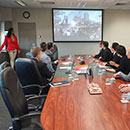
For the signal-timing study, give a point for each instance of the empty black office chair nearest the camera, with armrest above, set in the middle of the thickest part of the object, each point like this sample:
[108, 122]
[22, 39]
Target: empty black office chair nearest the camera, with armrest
[16, 103]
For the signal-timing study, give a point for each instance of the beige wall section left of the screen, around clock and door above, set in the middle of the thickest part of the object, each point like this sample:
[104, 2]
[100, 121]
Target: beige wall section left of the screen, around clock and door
[42, 18]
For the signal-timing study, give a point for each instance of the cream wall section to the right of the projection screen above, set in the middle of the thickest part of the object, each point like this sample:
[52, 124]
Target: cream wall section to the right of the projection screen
[117, 26]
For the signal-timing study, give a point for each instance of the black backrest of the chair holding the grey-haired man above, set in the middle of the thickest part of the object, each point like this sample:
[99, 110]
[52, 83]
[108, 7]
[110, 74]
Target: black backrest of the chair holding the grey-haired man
[28, 72]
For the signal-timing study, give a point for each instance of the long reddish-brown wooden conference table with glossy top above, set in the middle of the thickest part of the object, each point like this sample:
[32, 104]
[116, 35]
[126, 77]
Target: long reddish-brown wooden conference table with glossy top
[72, 107]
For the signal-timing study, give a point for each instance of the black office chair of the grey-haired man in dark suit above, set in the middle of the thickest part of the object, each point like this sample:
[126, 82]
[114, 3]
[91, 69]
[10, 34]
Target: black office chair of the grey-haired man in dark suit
[29, 74]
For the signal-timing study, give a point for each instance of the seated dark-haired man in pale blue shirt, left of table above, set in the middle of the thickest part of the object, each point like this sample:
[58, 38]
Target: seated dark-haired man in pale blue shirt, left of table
[45, 58]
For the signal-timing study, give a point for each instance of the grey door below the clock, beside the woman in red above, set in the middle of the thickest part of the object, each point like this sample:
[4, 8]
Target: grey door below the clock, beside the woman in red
[27, 37]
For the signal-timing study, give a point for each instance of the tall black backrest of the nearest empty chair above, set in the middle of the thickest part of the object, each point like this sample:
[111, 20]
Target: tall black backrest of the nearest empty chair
[12, 93]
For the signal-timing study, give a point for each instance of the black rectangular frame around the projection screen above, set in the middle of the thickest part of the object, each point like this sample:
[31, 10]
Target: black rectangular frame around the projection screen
[76, 9]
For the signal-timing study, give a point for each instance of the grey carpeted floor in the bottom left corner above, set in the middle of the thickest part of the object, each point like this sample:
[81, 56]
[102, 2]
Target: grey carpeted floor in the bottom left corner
[5, 120]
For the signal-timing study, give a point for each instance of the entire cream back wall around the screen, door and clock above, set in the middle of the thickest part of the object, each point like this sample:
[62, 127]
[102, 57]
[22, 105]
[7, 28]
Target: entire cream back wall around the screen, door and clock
[116, 28]
